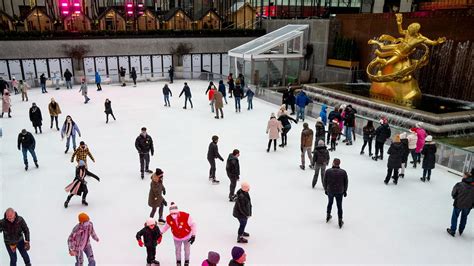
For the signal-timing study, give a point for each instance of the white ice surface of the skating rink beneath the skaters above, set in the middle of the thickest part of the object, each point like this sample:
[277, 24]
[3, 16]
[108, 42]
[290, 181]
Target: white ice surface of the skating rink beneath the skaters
[403, 224]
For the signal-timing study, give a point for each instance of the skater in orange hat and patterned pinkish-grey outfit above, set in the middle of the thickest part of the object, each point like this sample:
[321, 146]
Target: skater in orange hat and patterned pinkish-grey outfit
[79, 240]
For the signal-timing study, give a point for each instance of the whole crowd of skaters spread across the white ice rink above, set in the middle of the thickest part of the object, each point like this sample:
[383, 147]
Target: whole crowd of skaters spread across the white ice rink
[329, 129]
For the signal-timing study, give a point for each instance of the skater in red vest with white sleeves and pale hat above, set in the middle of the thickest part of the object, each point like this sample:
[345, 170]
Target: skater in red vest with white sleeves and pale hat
[183, 229]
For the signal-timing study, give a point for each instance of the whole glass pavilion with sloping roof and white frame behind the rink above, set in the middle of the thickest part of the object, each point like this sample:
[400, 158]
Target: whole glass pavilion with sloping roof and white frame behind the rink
[272, 60]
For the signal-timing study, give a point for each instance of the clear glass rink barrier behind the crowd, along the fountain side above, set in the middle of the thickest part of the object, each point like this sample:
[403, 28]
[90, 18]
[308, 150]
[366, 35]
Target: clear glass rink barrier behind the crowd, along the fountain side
[457, 160]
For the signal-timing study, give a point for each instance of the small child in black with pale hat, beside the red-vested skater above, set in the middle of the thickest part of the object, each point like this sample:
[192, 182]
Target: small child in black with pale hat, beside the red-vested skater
[151, 238]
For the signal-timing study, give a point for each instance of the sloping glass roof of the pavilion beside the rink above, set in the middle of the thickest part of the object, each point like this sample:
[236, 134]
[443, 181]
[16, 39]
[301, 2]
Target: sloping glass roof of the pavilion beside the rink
[270, 40]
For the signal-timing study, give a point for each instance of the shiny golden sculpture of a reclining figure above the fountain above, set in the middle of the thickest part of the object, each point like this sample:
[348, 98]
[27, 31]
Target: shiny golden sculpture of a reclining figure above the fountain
[391, 72]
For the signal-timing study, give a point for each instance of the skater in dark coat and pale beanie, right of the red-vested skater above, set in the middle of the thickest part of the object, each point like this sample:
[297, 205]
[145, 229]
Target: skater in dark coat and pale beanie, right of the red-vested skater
[243, 211]
